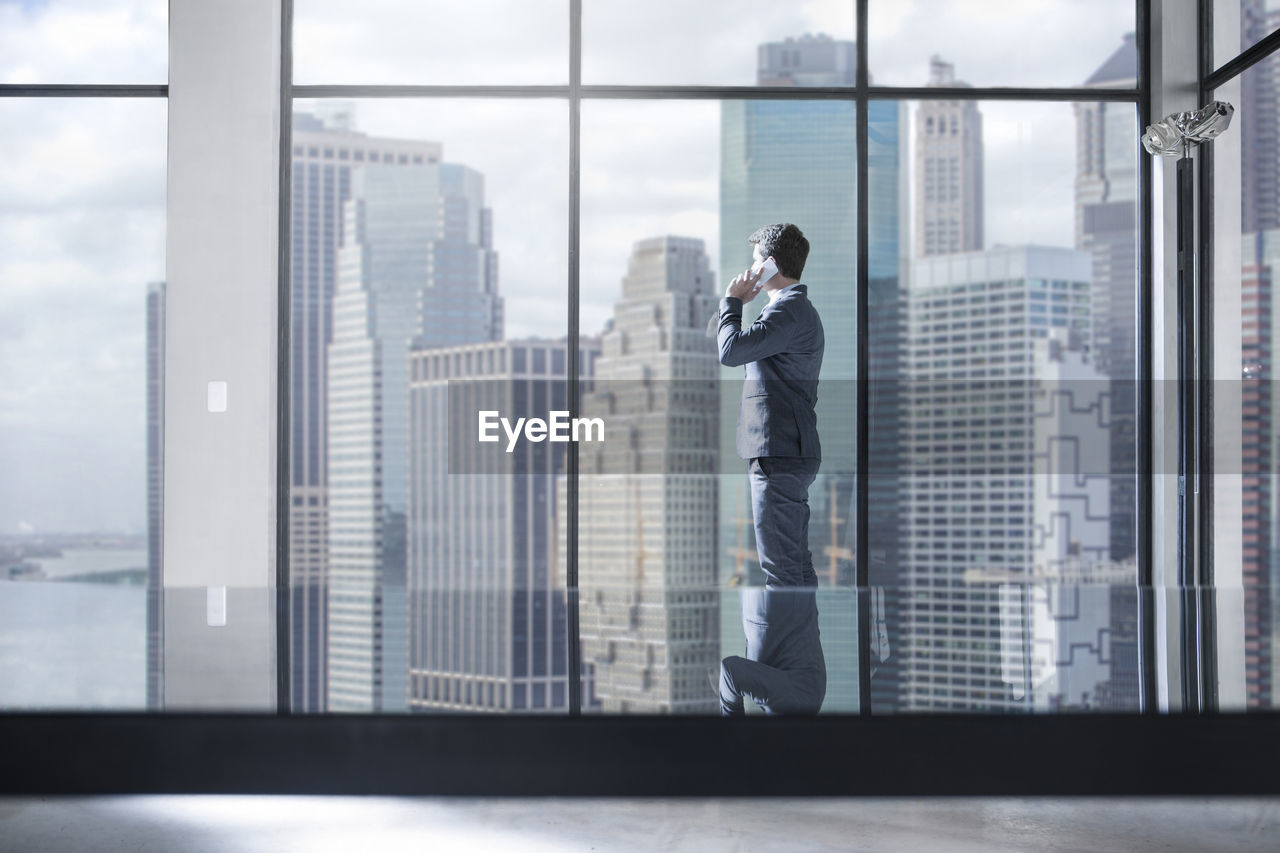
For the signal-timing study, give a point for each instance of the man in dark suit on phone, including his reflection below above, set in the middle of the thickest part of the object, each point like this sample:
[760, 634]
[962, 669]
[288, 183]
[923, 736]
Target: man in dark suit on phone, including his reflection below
[778, 434]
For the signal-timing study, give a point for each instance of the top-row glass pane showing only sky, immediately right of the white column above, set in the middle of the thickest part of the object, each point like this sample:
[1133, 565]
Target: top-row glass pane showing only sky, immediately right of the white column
[431, 43]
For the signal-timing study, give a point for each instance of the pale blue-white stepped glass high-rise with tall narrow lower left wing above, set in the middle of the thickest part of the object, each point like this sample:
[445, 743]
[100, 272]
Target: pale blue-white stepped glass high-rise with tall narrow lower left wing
[415, 270]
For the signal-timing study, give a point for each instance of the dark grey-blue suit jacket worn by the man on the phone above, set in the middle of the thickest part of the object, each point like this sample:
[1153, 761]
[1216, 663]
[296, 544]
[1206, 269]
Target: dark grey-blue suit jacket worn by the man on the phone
[783, 355]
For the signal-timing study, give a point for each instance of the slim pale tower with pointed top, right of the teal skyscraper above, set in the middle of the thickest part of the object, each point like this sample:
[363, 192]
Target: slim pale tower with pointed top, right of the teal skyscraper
[949, 191]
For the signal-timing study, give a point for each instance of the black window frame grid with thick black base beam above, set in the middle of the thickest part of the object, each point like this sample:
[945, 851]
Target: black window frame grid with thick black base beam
[678, 756]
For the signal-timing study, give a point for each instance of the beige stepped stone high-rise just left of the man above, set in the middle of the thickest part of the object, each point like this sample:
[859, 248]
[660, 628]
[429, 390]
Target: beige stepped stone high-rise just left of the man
[651, 492]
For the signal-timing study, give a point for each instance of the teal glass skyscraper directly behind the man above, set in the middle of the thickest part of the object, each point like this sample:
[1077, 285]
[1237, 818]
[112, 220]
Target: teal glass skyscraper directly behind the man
[797, 162]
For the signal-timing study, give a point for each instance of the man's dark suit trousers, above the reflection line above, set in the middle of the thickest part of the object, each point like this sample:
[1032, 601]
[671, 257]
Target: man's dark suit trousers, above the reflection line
[780, 507]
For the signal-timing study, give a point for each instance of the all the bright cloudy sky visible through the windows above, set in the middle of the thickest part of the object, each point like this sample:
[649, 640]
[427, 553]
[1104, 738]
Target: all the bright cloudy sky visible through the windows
[83, 183]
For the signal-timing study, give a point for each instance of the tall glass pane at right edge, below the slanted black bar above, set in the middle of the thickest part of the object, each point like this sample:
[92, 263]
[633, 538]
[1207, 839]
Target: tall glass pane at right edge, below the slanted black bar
[1247, 514]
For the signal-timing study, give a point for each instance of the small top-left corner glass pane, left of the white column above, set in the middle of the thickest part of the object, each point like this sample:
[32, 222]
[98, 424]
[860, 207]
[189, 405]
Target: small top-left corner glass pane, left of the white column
[85, 42]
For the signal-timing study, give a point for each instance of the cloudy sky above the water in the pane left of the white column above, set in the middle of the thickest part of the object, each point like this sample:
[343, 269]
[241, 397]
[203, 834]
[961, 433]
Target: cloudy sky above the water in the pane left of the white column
[83, 207]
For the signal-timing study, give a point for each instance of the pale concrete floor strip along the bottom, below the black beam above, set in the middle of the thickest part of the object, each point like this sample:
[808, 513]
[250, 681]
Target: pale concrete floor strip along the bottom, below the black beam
[354, 824]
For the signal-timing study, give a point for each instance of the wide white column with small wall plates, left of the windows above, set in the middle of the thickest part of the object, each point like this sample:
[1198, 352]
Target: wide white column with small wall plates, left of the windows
[220, 490]
